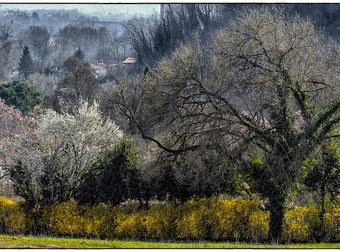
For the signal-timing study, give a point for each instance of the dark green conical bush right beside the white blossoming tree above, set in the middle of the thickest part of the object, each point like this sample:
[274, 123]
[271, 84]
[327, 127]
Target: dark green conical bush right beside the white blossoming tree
[114, 177]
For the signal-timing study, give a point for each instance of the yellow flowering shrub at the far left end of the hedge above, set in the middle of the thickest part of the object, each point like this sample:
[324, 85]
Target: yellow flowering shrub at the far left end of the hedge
[12, 216]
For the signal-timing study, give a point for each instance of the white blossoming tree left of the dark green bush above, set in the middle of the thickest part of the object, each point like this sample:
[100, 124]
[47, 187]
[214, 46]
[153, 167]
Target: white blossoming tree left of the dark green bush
[67, 145]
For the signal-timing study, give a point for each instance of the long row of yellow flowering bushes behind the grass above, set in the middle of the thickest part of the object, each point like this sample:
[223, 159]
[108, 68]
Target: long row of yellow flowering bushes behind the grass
[211, 219]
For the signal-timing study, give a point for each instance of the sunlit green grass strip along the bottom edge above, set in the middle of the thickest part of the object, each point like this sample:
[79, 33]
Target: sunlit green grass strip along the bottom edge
[7, 241]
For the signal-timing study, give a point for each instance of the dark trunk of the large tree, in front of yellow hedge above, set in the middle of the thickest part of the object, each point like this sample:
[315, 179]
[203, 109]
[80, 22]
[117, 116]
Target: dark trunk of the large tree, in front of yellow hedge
[276, 209]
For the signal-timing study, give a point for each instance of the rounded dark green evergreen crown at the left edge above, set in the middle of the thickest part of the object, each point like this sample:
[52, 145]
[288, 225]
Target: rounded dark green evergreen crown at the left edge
[21, 95]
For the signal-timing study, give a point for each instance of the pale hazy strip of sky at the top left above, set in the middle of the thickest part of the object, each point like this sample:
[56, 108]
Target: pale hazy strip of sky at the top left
[129, 9]
